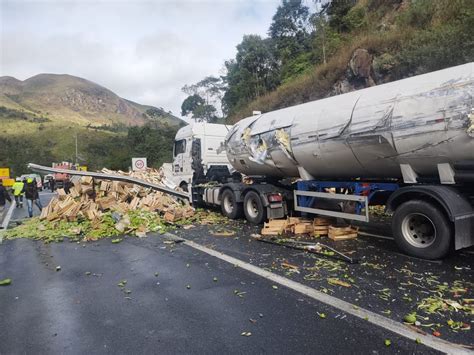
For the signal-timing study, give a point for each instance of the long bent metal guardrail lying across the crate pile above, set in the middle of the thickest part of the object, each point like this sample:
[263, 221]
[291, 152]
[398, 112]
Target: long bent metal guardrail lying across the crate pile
[102, 176]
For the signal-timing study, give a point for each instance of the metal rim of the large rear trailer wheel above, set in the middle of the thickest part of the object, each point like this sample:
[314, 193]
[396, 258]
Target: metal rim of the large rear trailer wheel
[418, 230]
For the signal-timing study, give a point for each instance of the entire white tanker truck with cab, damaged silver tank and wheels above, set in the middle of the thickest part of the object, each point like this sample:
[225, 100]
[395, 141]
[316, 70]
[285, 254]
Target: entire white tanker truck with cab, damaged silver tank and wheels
[408, 145]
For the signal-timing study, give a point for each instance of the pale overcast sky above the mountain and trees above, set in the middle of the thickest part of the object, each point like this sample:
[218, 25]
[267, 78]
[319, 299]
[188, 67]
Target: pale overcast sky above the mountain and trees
[142, 50]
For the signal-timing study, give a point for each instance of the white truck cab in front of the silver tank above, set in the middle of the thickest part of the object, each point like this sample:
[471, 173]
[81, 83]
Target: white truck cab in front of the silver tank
[198, 151]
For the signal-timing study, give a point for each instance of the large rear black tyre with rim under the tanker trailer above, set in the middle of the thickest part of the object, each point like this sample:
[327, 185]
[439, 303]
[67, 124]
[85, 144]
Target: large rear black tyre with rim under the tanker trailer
[421, 230]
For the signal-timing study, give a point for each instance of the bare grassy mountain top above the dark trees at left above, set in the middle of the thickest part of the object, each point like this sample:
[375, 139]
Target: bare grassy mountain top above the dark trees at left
[69, 99]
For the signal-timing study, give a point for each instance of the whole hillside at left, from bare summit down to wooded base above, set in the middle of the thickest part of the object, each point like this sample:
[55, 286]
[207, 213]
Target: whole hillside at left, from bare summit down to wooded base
[41, 117]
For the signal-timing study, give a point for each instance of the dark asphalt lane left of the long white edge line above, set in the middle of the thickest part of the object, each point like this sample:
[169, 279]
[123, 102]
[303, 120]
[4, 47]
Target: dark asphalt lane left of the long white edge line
[81, 309]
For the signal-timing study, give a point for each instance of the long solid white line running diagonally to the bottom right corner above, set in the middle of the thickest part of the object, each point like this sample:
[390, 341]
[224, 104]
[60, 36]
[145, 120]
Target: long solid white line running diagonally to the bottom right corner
[371, 317]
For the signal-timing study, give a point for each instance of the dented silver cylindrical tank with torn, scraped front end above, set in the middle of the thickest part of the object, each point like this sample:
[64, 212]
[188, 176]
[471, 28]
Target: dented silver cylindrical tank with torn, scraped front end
[420, 121]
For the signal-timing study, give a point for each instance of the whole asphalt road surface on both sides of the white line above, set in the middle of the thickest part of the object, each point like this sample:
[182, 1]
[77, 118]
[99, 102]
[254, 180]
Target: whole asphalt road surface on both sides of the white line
[180, 300]
